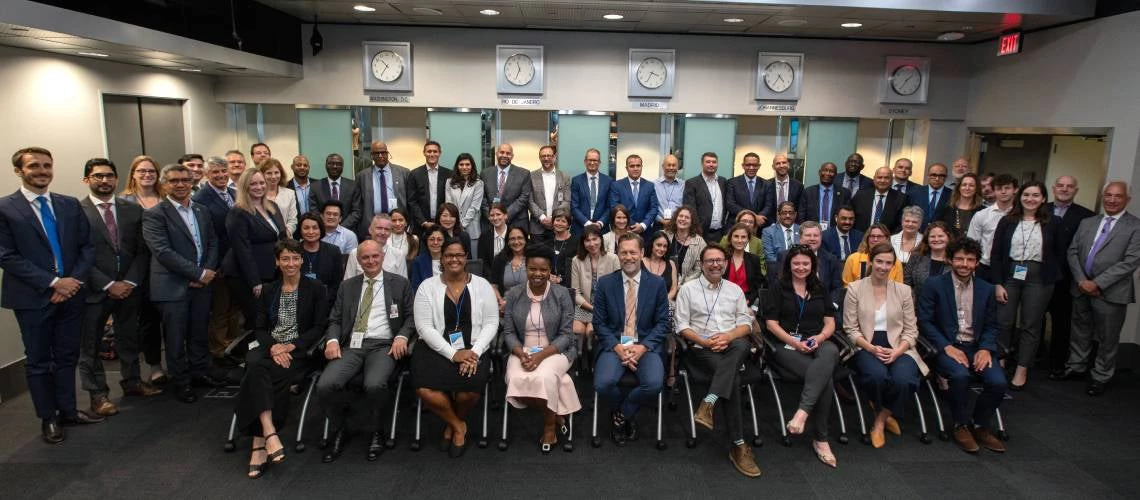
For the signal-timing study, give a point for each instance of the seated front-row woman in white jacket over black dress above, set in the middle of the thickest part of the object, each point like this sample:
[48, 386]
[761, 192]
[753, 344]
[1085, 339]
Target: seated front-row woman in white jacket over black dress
[457, 317]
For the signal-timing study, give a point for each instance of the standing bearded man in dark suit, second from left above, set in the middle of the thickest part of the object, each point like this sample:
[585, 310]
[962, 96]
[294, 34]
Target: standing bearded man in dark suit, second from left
[120, 267]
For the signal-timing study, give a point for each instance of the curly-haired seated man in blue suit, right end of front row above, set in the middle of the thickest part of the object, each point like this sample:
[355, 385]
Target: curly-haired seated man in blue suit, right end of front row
[958, 315]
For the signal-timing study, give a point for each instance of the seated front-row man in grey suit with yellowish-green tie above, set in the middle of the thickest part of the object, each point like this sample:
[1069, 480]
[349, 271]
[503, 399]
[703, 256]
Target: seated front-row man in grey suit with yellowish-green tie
[369, 332]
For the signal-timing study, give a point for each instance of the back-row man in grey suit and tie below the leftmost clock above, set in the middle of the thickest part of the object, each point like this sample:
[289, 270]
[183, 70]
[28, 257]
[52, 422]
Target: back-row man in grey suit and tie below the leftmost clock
[380, 190]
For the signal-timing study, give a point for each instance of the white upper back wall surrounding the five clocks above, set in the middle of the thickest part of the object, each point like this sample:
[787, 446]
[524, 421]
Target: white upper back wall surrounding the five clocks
[455, 68]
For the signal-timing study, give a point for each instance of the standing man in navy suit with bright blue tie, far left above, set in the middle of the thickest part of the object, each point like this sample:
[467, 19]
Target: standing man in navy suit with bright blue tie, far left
[46, 255]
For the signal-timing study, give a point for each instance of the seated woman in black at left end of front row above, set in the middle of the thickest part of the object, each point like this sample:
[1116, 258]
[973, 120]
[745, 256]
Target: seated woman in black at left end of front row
[292, 316]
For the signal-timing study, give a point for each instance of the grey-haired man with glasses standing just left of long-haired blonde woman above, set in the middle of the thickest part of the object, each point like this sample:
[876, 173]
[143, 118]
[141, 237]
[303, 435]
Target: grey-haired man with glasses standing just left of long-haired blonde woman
[218, 200]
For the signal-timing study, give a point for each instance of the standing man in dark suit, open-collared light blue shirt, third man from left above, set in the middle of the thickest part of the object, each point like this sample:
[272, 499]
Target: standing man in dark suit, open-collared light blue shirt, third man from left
[184, 250]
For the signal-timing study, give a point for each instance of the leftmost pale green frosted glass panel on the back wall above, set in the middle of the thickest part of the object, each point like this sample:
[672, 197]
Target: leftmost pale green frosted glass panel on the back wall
[324, 133]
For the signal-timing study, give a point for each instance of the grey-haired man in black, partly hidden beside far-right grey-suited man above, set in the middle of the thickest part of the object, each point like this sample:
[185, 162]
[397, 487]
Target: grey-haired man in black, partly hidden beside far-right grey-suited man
[1061, 307]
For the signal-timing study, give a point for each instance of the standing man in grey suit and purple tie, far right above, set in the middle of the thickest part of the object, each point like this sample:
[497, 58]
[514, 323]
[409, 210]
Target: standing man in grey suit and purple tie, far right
[1103, 258]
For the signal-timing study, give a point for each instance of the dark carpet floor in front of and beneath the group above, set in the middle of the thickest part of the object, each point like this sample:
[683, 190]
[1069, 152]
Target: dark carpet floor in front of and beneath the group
[1064, 445]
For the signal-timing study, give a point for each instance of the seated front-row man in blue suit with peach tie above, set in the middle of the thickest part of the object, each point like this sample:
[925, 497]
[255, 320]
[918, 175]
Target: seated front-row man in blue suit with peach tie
[631, 319]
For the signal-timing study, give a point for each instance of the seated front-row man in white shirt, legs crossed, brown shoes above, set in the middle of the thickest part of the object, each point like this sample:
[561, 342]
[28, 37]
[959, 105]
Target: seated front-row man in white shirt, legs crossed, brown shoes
[714, 319]
